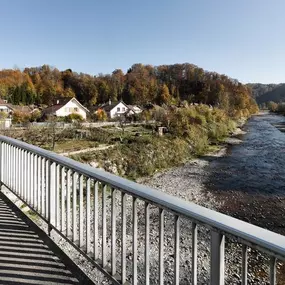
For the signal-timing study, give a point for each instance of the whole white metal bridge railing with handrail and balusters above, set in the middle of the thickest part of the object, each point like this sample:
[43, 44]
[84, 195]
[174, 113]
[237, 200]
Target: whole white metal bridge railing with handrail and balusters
[104, 216]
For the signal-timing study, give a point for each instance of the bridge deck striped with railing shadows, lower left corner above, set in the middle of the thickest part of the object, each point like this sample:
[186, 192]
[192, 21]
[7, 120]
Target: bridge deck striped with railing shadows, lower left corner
[25, 258]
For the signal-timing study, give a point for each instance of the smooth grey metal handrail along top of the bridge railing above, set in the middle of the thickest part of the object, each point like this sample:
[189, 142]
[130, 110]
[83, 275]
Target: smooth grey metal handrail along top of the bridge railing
[263, 238]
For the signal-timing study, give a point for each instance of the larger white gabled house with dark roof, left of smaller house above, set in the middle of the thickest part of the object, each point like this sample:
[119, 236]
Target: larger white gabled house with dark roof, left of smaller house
[65, 106]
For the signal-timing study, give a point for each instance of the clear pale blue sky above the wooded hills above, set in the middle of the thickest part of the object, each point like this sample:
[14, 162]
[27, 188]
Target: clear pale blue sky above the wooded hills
[244, 39]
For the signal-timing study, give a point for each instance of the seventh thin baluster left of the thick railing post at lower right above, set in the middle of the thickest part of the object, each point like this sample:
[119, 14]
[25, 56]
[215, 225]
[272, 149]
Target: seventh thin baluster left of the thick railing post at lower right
[113, 233]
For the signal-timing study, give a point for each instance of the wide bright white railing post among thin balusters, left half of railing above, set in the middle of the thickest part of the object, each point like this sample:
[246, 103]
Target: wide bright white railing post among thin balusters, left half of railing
[51, 194]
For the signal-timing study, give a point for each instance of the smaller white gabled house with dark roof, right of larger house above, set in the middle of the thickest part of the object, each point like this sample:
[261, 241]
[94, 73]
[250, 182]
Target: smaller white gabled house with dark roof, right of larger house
[117, 109]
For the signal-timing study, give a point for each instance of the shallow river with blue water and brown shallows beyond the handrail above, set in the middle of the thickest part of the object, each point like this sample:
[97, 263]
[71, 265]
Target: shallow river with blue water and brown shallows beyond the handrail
[249, 180]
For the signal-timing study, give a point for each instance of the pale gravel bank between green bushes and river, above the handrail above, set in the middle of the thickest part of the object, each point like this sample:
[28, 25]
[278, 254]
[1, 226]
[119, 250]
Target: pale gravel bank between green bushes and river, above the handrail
[188, 181]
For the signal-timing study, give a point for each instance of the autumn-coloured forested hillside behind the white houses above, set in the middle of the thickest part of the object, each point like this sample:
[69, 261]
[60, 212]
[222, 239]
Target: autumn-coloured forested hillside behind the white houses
[165, 84]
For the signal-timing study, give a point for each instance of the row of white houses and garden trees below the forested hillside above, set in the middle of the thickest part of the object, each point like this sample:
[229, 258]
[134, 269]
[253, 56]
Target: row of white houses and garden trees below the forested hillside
[68, 110]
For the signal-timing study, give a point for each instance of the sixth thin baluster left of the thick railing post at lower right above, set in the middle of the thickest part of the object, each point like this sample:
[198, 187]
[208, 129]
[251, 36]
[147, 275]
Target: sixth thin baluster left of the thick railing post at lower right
[123, 237]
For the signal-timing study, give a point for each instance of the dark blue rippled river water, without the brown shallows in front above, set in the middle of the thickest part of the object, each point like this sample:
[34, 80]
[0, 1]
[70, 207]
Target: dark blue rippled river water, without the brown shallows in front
[257, 164]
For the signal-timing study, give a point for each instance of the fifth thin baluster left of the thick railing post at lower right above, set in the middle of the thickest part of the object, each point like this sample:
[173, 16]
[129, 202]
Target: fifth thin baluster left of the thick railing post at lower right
[135, 241]
